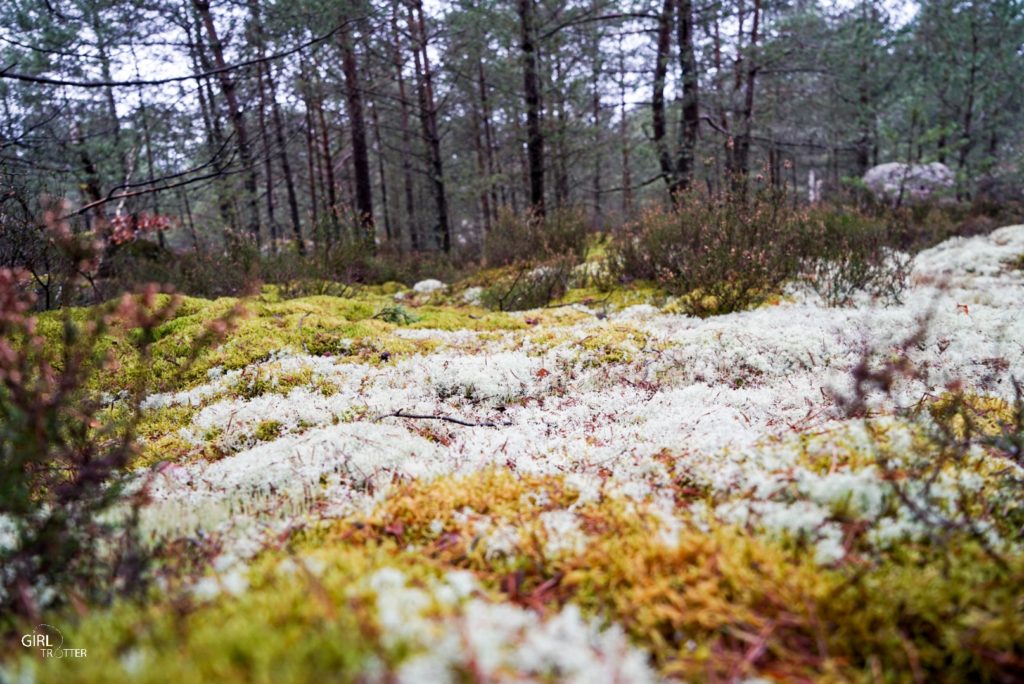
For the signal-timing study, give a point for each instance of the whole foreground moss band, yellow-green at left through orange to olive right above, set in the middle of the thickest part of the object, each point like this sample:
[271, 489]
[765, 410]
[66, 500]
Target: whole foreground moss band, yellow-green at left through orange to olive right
[706, 607]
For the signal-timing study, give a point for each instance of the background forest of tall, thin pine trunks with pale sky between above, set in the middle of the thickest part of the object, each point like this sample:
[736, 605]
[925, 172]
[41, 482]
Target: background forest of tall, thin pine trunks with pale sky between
[422, 129]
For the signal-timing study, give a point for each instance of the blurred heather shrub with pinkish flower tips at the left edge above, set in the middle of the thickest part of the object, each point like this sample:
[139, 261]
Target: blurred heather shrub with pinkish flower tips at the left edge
[68, 502]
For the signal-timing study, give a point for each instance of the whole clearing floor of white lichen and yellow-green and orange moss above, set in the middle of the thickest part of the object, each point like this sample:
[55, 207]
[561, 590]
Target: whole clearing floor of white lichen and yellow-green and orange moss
[601, 492]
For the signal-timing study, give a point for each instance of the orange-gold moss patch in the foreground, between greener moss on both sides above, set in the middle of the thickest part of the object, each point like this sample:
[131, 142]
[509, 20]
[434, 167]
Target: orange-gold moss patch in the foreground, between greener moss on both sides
[693, 602]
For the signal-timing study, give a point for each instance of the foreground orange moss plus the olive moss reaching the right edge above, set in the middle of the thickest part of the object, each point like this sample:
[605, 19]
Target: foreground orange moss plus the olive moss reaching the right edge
[717, 604]
